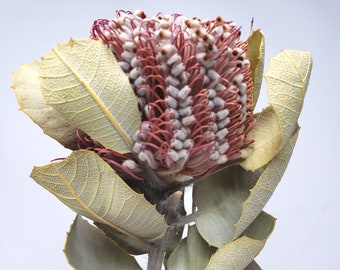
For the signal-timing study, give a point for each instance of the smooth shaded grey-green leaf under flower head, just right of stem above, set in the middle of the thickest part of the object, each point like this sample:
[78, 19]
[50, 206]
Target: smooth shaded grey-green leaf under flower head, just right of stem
[219, 200]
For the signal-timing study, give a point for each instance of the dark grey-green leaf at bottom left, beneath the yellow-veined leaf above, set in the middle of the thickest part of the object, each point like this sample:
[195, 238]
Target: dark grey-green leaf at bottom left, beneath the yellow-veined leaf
[87, 248]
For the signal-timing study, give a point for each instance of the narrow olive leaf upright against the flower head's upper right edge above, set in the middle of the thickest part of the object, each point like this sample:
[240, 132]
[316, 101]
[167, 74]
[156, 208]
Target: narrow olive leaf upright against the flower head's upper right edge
[255, 53]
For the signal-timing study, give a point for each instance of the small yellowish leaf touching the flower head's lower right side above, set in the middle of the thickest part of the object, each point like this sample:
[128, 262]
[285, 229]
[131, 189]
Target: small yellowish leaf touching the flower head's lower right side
[266, 144]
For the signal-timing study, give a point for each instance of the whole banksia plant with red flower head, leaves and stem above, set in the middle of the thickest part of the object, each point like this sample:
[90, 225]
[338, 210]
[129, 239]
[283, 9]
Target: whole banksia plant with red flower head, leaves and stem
[149, 106]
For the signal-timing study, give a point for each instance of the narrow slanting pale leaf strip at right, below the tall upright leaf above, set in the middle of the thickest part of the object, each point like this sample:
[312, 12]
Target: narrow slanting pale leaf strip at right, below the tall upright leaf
[265, 185]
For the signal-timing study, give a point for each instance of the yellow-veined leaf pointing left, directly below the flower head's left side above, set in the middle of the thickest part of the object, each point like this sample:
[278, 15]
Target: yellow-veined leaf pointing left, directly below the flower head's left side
[91, 188]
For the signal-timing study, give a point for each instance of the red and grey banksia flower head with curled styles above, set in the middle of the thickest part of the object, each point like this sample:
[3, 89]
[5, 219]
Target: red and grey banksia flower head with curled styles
[193, 84]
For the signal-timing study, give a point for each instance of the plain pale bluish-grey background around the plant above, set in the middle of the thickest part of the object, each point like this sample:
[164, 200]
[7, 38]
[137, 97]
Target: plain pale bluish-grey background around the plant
[33, 223]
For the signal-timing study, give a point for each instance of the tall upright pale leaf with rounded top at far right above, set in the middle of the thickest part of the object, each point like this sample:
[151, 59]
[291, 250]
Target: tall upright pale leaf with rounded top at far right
[287, 80]
